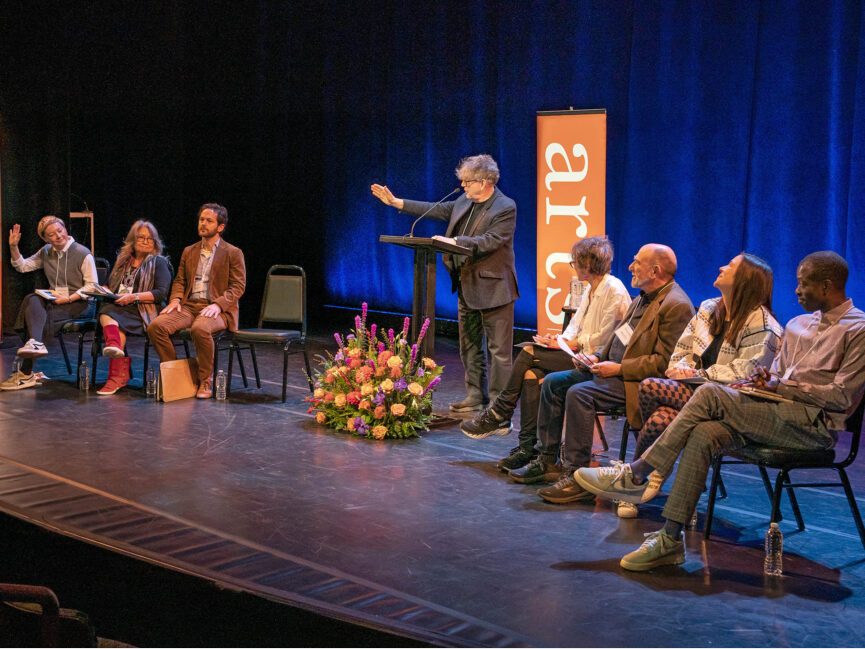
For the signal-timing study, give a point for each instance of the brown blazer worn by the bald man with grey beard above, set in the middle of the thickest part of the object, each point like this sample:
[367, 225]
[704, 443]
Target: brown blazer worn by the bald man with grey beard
[652, 343]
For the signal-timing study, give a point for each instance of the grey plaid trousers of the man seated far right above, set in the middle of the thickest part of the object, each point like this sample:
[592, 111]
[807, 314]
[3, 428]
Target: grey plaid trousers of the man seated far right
[717, 418]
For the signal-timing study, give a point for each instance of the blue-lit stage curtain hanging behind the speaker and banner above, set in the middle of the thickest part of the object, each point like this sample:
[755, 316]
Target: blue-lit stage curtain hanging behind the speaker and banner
[731, 126]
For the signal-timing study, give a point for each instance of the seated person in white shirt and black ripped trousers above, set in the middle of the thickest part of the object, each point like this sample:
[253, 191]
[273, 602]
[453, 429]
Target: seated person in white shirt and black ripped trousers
[603, 306]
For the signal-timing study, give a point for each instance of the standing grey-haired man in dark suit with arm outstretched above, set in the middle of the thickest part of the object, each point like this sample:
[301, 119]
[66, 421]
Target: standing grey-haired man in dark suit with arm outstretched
[483, 219]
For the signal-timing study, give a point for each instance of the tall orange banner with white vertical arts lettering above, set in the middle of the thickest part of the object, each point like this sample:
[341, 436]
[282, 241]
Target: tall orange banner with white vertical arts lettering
[572, 184]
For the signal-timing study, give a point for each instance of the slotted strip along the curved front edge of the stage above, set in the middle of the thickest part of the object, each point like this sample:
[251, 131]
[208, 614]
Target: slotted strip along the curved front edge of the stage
[306, 584]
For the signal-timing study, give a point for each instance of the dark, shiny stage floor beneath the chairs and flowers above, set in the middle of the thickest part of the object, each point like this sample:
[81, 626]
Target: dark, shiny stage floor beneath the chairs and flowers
[424, 538]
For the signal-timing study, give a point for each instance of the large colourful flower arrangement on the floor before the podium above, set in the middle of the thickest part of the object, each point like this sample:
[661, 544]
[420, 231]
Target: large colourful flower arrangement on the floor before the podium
[376, 385]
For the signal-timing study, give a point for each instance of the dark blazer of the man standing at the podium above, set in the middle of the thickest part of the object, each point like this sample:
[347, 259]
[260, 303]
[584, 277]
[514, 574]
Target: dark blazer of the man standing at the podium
[488, 278]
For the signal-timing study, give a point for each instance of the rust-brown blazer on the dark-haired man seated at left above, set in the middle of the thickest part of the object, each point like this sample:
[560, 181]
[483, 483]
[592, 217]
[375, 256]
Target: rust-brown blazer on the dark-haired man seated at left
[227, 279]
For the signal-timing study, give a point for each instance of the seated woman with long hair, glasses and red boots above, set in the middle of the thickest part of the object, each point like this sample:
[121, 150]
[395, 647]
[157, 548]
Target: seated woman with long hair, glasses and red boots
[141, 277]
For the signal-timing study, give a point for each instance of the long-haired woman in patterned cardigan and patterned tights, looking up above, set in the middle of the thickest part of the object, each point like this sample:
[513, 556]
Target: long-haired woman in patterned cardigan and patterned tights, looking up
[724, 342]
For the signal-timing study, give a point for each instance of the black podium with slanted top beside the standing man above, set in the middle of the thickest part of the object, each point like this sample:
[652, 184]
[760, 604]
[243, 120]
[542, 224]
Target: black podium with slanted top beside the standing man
[423, 298]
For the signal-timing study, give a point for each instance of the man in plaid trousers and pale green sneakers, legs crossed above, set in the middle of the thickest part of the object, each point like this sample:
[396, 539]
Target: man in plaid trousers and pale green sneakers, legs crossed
[820, 371]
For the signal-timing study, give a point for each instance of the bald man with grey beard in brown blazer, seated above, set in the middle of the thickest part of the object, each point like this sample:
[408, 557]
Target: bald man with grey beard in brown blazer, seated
[640, 348]
